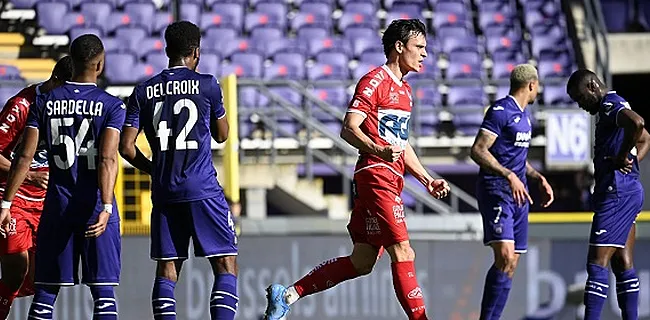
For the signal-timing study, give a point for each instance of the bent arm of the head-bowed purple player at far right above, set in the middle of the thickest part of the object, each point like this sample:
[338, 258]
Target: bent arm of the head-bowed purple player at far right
[632, 125]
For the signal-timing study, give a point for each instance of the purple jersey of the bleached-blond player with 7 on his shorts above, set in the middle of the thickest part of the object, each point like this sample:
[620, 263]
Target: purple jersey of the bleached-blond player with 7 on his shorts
[511, 125]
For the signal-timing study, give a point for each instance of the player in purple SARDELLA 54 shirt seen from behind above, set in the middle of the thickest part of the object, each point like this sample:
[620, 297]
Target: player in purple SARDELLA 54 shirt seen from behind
[79, 126]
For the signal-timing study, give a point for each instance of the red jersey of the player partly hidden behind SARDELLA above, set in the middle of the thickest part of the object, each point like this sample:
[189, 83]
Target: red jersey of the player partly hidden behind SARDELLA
[12, 124]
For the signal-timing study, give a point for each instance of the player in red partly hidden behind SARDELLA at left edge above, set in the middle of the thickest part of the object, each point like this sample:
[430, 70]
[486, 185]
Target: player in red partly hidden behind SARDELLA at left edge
[17, 248]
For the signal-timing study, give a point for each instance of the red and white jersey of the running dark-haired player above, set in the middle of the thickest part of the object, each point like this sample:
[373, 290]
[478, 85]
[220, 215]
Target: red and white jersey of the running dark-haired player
[385, 102]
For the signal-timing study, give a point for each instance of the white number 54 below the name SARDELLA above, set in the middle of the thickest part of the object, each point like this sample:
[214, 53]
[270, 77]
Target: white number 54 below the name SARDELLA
[72, 147]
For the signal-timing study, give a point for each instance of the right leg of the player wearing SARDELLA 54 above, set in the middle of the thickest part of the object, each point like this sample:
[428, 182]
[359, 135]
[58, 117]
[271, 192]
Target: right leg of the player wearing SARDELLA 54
[101, 265]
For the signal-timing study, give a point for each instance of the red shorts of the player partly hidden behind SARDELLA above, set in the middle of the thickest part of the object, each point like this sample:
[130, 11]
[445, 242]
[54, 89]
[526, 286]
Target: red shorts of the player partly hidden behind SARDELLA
[25, 216]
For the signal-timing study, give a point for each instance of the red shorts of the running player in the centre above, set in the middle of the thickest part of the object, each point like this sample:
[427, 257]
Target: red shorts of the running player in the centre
[378, 214]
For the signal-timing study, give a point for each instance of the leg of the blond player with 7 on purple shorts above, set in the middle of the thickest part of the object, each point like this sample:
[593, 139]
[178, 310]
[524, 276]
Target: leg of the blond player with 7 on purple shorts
[499, 233]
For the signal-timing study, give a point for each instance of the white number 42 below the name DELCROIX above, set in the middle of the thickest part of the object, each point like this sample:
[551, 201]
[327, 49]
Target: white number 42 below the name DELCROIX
[163, 132]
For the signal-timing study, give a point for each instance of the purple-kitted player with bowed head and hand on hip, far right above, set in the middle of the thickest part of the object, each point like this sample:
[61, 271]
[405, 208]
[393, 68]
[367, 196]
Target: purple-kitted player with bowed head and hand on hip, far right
[621, 142]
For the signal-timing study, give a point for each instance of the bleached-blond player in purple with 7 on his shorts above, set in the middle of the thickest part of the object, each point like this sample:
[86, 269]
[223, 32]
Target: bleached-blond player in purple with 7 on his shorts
[501, 150]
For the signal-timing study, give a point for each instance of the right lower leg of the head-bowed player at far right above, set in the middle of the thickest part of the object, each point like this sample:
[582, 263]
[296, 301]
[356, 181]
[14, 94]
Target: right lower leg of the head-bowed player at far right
[627, 281]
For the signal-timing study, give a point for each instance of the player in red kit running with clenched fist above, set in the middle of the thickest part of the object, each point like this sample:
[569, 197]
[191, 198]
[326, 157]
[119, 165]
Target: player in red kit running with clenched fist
[377, 123]
